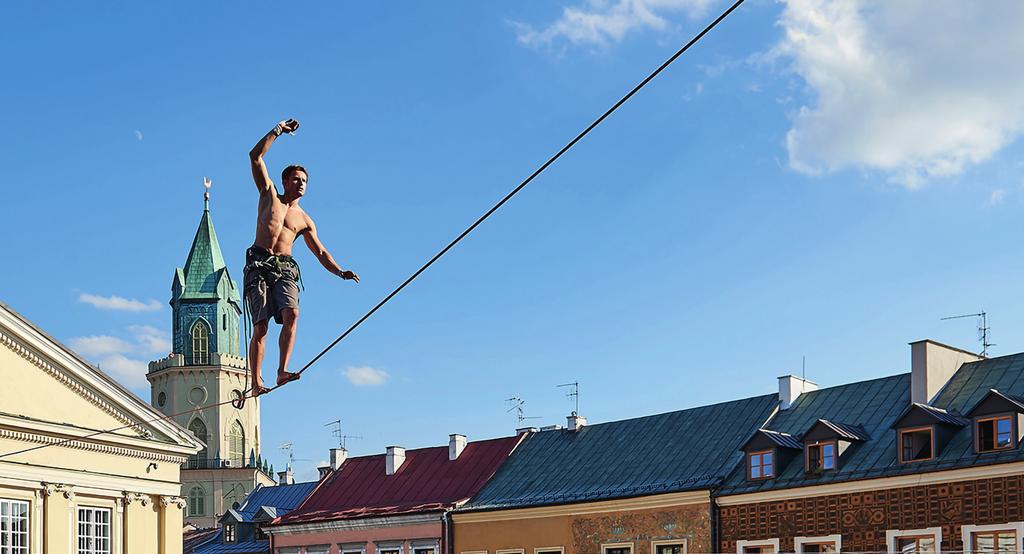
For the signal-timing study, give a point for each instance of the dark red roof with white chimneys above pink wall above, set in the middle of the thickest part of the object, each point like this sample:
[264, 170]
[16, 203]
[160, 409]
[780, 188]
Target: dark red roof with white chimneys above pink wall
[426, 482]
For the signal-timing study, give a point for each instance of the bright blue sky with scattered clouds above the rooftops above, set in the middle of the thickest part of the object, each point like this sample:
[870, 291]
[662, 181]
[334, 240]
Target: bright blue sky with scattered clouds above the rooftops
[816, 179]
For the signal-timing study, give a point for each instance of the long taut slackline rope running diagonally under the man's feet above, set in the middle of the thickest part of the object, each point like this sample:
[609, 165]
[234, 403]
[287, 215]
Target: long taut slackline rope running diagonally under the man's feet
[437, 257]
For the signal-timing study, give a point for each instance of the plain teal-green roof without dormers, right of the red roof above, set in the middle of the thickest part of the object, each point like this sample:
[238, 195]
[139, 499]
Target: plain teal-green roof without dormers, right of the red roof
[679, 451]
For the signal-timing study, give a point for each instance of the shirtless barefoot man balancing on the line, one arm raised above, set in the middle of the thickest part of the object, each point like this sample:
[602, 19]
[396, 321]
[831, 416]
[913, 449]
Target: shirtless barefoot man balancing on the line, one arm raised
[272, 276]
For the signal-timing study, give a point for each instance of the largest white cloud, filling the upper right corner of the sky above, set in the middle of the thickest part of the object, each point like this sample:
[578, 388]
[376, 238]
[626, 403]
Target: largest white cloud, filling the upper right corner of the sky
[917, 90]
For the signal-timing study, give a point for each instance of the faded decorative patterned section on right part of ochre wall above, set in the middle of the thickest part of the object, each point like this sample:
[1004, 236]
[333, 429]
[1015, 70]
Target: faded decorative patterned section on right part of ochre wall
[642, 528]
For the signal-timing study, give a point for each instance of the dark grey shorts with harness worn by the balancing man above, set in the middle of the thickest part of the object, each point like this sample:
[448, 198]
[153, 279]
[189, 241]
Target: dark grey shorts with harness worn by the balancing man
[270, 290]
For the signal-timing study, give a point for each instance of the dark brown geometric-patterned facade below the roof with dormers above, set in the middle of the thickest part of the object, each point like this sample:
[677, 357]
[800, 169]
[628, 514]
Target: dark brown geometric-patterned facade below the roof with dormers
[863, 519]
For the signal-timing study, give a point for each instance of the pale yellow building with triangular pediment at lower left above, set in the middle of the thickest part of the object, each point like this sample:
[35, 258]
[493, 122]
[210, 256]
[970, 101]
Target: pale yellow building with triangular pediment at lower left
[65, 486]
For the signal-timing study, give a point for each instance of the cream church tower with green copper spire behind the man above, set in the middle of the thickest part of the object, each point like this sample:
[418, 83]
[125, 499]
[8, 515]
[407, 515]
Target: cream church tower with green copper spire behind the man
[205, 369]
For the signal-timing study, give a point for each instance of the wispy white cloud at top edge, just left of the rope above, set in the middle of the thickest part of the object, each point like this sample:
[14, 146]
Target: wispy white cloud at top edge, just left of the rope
[599, 22]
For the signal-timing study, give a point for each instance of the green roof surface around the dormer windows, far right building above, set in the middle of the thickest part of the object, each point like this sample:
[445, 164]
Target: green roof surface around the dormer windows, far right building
[875, 406]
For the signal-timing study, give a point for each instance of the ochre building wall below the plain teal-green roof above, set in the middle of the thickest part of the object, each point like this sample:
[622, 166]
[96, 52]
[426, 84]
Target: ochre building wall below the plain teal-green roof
[583, 529]
